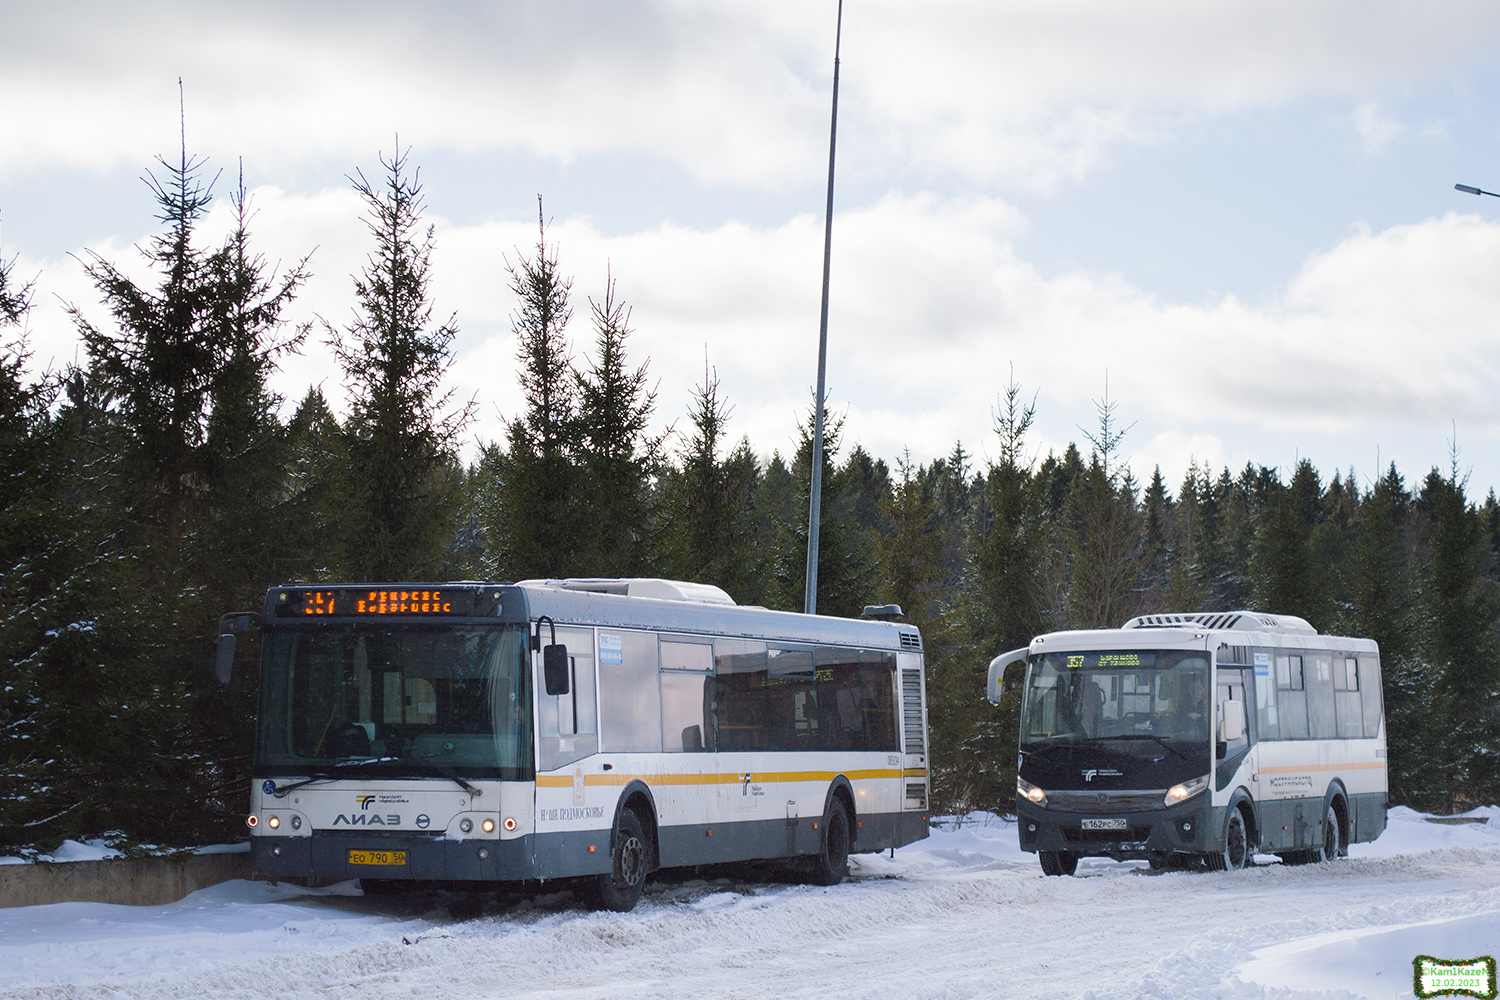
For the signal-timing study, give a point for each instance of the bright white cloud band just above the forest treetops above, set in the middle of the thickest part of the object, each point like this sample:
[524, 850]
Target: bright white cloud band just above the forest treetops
[1388, 335]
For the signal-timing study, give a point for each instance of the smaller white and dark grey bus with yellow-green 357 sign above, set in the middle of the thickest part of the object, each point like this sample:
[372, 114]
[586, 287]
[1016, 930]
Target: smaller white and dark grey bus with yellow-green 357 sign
[1198, 740]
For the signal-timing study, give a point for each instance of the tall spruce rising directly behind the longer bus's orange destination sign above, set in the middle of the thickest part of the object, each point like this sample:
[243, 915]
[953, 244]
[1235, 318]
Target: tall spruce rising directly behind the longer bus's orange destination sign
[403, 433]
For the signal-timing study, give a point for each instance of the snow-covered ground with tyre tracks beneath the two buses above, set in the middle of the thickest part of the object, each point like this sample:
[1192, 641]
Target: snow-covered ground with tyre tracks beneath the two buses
[964, 914]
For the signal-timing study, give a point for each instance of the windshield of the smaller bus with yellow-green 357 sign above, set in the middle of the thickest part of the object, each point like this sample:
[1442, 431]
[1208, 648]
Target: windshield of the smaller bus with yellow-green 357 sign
[1117, 695]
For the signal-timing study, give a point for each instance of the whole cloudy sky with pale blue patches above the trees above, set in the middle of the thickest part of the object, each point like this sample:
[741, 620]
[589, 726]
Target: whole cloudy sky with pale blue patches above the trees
[1243, 215]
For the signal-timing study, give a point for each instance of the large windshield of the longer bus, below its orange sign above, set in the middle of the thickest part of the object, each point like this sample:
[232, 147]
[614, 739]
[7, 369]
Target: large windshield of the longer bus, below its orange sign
[397, 701]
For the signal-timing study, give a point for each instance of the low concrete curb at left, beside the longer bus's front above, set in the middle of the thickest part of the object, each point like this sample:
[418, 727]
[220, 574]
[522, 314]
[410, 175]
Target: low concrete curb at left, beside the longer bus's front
[140, 882]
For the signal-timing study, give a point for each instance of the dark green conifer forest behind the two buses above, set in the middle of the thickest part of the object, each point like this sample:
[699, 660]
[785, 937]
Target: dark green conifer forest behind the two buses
[160, 484]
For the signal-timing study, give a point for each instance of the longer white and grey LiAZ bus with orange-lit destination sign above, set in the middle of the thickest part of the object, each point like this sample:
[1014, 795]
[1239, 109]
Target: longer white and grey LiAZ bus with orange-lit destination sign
[575, 729]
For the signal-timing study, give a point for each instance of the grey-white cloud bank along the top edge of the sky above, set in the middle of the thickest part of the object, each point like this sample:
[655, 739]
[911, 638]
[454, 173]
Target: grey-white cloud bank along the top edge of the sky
[734, 94]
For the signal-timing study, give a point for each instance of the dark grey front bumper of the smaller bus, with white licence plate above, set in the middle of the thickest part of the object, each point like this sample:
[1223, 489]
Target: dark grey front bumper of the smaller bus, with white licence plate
[1184, 828]
